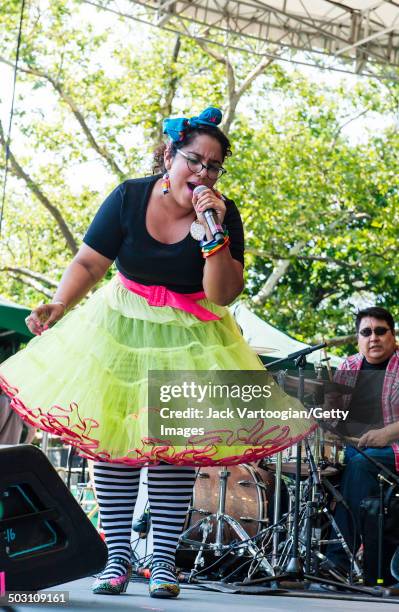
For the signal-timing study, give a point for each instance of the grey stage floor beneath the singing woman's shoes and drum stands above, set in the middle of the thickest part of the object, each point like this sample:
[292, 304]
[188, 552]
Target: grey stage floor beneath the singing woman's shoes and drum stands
[194, 599]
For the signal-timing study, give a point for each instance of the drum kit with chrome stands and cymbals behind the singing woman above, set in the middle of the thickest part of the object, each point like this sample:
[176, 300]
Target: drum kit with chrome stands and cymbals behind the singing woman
[271, 521]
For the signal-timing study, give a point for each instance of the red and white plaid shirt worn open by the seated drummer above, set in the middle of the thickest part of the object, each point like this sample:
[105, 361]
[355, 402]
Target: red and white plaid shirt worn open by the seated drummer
[347, 374]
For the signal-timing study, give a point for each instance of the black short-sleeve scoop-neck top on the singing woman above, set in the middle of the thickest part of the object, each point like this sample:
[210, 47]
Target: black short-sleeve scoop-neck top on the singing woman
[118, 231]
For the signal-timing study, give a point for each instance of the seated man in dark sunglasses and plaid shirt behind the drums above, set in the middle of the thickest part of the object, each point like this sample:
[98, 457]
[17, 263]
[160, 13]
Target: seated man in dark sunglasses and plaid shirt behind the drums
[373, 418]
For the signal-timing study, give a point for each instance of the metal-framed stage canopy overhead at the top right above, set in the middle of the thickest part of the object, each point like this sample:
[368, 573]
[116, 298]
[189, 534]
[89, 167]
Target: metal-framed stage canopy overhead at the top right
[363, 34]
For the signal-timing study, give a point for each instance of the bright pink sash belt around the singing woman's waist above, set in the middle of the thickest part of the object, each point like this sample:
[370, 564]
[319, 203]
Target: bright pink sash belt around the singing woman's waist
[157, 295]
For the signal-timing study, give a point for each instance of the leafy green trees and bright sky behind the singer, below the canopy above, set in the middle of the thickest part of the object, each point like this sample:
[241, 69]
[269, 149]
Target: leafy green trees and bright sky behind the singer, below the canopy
[320, 210]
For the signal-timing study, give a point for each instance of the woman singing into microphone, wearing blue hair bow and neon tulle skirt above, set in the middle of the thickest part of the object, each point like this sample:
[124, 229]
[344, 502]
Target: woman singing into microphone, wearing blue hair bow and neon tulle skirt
[85, 376]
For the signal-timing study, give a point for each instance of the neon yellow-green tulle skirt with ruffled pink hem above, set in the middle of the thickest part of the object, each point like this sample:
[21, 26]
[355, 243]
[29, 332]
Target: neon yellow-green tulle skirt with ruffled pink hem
[86, 379]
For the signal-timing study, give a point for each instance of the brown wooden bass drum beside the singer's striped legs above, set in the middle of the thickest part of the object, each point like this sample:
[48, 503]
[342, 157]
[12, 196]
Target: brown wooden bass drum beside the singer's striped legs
[246, 501]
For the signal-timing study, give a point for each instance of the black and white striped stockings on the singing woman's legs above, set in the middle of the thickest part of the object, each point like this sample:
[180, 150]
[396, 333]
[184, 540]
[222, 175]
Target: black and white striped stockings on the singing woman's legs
[169, 493]
